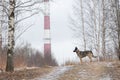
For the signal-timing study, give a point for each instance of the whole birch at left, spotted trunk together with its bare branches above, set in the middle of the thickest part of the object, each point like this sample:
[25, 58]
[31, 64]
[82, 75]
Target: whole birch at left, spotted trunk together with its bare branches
[15, 11]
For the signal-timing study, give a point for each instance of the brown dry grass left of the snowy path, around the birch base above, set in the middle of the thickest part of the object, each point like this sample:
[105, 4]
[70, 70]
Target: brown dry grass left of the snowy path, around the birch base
[26, 74]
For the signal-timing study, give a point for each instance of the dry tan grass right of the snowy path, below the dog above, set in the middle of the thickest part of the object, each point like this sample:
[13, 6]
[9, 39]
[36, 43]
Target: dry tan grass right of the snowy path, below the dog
[90, 71]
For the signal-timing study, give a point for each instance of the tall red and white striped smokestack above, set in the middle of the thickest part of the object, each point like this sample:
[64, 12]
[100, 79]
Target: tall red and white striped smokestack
[47, 38]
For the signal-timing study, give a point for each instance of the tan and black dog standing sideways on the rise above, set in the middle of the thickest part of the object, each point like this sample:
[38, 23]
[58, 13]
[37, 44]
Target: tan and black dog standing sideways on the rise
[82, 54]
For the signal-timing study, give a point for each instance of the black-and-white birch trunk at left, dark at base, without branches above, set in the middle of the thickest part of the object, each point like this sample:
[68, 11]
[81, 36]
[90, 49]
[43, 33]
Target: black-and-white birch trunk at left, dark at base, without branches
[11, 43]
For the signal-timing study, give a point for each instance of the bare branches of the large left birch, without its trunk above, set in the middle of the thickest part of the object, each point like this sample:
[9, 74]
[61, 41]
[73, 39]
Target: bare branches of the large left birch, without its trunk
[24, 9]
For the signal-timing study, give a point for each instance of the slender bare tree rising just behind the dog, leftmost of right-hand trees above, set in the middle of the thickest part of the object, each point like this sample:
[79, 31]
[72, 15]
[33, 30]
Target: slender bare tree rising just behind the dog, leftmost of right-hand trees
[77, 22]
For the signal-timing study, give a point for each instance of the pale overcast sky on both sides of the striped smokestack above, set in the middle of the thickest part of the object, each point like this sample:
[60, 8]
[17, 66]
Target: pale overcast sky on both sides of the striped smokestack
[61, 35]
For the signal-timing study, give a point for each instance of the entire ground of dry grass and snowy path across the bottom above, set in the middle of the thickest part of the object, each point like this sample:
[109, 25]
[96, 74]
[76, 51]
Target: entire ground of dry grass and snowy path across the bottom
[85, 71]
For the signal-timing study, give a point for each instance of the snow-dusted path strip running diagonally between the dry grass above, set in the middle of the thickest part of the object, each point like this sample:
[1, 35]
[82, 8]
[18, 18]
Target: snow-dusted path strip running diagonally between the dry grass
[54, 75]
